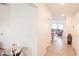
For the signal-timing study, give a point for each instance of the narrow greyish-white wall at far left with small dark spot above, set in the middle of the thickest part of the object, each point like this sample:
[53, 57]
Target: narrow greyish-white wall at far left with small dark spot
[4, 25]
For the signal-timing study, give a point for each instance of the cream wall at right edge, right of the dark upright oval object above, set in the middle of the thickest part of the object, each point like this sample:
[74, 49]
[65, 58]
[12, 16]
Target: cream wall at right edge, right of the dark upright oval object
[76, 33]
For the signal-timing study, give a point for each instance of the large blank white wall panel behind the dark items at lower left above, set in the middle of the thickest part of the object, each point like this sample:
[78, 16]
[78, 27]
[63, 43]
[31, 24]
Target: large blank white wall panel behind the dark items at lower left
[22, 29]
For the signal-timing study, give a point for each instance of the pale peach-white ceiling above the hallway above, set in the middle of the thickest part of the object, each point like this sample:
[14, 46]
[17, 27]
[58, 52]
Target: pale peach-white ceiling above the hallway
[68, 9]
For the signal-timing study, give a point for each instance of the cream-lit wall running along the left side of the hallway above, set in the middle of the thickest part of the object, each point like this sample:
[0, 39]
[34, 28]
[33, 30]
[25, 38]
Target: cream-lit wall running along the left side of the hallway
[44, 19]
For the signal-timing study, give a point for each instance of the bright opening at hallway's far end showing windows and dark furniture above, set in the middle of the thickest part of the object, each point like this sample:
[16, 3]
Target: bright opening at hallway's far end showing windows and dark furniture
[57, 27]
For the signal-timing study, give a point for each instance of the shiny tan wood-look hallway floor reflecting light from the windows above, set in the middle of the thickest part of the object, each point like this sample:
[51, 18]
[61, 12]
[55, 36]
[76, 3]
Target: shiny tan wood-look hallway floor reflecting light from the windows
[59, 48]
